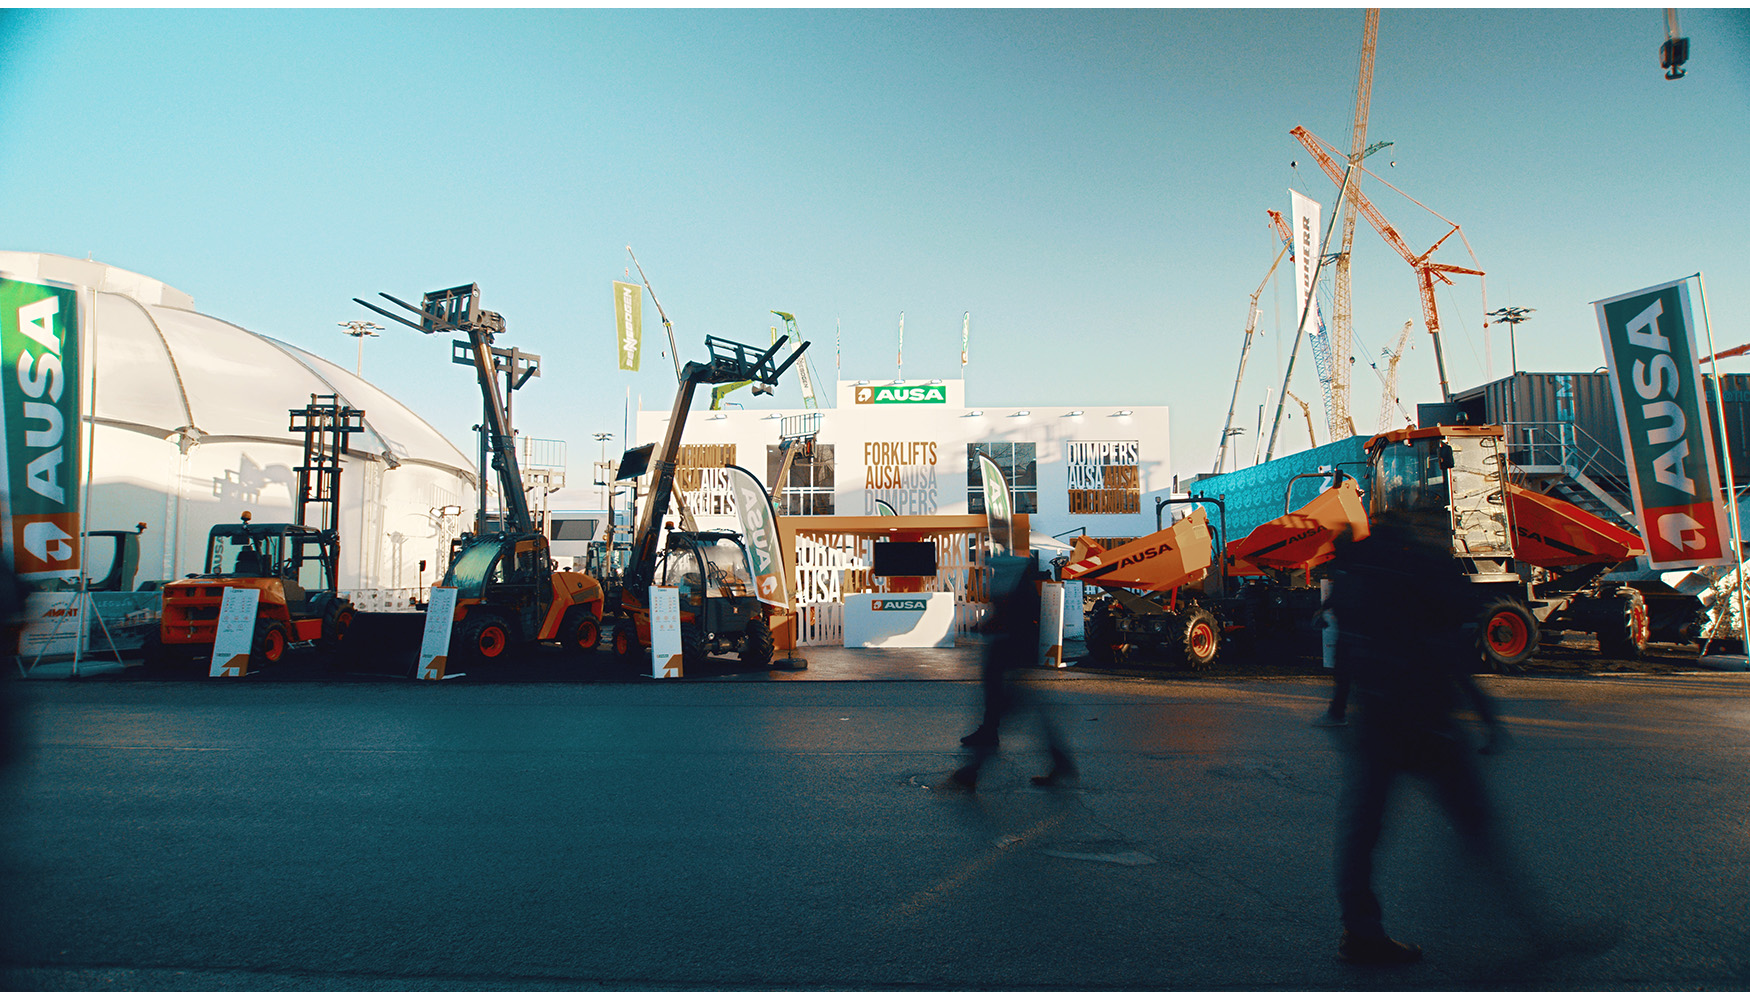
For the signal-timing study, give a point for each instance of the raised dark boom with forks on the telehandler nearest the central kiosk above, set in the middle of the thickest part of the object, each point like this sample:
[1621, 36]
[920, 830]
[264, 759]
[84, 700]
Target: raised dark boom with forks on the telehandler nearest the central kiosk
[731, 362]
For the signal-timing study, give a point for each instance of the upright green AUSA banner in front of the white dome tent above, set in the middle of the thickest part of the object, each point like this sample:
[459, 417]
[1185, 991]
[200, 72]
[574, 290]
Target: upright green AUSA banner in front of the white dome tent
[39, 363]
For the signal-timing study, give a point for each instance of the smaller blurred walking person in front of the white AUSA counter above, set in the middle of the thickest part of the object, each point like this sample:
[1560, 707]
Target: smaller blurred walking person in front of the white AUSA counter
[1014, 645]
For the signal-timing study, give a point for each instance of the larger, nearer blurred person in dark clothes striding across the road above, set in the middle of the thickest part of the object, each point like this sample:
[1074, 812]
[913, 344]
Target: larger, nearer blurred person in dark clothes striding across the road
[1401, 605]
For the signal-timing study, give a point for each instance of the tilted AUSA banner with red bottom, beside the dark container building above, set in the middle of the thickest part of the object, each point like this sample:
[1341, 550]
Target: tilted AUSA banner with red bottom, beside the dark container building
[1667, 439]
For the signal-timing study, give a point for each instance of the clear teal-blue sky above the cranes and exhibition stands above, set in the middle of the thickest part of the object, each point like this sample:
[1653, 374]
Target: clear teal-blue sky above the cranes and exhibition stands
[1089, 187]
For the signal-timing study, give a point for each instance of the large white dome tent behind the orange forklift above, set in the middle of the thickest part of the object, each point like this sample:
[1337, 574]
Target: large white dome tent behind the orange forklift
[188, 421]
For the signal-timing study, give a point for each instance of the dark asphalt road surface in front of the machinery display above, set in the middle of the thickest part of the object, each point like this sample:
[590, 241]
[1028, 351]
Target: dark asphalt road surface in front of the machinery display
[701, 835]
